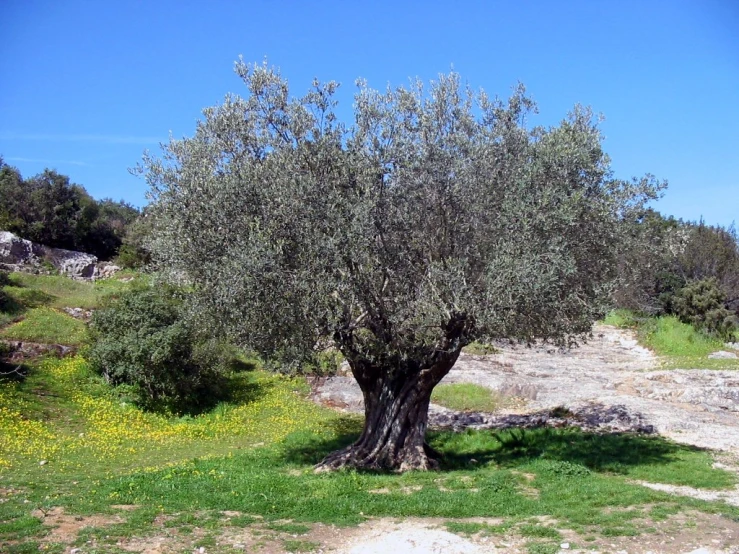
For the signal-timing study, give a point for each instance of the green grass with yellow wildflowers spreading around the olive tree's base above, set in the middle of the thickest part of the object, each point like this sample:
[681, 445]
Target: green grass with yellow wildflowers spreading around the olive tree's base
[76, 453]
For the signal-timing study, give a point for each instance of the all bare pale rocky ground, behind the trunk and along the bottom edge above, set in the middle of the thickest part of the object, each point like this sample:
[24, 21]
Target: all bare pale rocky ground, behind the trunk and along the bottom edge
[610, 383]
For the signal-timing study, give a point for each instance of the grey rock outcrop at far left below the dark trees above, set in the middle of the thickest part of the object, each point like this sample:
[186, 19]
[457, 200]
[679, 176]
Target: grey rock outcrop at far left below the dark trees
[17, 254]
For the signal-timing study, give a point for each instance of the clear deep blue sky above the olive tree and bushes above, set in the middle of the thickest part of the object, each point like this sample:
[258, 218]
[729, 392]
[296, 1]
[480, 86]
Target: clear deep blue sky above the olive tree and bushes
[87, 86]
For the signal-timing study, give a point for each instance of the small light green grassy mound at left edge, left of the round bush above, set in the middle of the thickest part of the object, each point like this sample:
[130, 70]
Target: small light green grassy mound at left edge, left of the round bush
[47, 326]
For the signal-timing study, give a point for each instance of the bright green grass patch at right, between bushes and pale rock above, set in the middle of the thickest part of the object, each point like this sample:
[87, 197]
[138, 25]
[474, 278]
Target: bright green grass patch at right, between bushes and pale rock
[679, 344]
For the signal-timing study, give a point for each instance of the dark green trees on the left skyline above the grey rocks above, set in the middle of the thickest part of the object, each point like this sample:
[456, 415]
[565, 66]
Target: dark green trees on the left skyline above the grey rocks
[48, 209]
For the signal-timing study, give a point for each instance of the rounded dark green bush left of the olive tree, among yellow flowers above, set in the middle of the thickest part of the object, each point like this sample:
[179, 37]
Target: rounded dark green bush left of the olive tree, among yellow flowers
[142, 340]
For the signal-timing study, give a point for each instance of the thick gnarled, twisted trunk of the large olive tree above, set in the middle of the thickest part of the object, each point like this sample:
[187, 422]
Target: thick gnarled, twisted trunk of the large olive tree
[396, 415]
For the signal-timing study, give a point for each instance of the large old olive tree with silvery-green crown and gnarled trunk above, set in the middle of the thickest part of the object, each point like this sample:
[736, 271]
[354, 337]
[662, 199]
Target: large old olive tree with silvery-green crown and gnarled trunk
[437, 217]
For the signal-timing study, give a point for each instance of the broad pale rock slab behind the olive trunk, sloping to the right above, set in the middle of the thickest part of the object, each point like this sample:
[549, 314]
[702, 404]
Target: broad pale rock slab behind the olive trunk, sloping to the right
[610, 383]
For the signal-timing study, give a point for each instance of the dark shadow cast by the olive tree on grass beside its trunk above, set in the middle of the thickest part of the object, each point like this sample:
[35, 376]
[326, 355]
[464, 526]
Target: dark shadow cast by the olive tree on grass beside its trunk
[469, 450]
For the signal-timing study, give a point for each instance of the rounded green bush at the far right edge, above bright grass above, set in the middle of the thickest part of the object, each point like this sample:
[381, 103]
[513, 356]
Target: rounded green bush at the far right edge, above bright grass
[703, 305]
